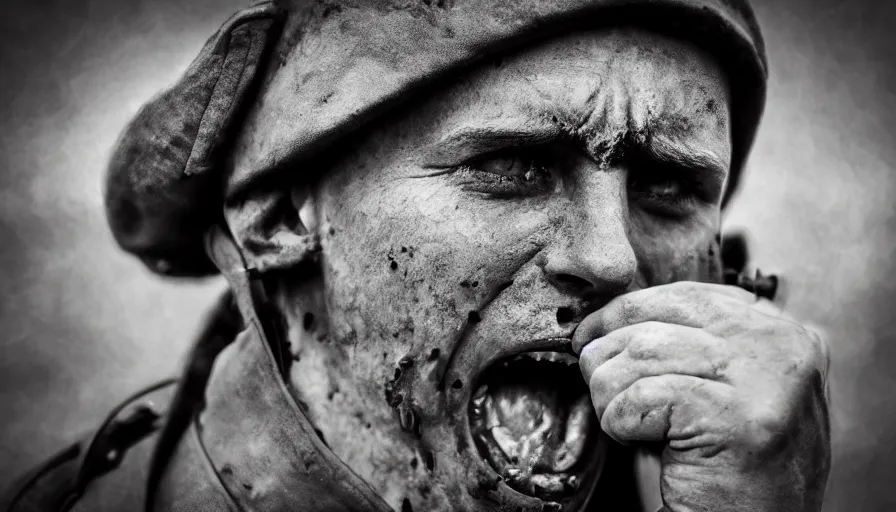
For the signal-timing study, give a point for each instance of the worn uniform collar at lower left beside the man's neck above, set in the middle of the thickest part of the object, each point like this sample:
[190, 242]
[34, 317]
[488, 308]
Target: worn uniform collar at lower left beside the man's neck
[260, 443]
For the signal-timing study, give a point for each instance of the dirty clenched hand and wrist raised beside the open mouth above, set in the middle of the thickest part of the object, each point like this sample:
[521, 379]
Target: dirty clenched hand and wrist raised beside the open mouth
[733, 390]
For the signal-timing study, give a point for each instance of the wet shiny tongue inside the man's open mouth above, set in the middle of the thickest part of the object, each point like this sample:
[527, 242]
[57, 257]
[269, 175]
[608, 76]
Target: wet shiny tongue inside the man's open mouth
[536, 428]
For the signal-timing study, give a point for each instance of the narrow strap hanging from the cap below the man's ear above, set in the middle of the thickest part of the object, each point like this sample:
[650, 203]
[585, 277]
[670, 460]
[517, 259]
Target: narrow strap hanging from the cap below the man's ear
[247, 286]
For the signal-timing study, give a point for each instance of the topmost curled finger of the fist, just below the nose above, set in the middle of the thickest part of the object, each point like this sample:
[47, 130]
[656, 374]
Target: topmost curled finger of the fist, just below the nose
[685, 303]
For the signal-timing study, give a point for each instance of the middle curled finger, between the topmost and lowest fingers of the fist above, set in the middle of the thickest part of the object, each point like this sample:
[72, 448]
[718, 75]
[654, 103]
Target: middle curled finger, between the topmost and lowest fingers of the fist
[657, 350]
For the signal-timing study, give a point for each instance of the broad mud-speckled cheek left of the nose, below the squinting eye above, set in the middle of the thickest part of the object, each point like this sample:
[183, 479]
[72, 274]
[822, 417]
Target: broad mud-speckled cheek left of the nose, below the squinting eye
[406, 264]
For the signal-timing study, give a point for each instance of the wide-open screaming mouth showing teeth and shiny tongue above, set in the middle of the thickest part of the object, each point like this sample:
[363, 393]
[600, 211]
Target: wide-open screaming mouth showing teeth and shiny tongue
[532, 420]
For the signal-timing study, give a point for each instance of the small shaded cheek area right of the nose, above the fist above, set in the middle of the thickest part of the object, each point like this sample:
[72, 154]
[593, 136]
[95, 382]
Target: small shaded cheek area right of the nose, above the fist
[670, 251]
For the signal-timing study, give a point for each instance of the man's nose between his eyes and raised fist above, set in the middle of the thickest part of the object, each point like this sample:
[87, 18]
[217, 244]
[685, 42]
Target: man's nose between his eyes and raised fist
[592, 254]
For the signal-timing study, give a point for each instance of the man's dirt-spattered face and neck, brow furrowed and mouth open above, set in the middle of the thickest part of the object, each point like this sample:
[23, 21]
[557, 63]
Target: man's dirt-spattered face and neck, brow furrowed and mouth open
[464, 239]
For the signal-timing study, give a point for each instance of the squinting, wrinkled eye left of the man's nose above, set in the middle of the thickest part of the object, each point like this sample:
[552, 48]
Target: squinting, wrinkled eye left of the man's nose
[506, 174]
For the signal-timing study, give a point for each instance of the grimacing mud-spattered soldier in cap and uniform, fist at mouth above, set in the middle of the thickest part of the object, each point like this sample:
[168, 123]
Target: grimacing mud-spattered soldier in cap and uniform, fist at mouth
[474, 263]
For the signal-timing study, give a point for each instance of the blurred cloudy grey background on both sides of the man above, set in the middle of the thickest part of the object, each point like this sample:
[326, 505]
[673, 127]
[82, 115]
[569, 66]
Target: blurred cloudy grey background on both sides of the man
[82, 325]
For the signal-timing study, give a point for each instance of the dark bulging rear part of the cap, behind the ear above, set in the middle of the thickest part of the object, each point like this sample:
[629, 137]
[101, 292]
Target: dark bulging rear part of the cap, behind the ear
[164, 180]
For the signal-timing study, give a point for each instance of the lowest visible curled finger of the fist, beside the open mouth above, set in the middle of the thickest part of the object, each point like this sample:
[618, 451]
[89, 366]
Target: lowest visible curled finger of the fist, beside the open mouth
[686, 411]
